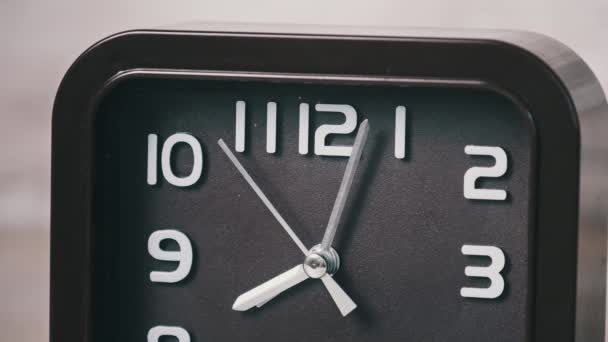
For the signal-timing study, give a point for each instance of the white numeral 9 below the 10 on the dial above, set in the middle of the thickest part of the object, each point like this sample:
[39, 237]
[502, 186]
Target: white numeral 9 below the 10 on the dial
[183, 256]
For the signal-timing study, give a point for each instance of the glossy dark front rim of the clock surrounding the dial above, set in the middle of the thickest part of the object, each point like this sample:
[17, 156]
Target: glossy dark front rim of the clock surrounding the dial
[512, 69]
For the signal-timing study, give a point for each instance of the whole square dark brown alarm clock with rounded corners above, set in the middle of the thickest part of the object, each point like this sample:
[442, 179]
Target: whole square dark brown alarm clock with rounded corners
[308, 184]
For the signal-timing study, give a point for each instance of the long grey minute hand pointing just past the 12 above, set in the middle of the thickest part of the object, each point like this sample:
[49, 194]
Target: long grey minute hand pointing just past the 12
[345, 186]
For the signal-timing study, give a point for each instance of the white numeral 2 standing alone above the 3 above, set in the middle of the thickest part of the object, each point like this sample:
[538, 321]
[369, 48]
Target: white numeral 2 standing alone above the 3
[474, 173]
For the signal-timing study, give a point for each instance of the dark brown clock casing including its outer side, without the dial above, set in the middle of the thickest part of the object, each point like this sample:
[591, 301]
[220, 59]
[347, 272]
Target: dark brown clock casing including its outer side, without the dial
[563, 96]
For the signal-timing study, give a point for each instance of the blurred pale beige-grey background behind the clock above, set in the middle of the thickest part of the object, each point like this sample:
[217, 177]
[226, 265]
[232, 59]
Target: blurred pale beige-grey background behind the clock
[40, 39]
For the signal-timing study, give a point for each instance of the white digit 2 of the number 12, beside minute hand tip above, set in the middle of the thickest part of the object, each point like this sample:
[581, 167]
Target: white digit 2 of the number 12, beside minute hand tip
[349, 125]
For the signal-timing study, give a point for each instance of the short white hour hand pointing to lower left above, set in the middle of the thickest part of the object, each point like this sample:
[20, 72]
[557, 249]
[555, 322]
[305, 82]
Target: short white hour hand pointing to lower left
[261, 294]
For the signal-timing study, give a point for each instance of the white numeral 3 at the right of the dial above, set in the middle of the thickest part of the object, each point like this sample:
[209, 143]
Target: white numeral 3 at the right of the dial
[492, 272]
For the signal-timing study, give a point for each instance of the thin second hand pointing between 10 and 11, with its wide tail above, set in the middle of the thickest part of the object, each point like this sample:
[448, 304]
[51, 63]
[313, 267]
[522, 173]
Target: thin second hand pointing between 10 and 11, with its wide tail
[344, 303]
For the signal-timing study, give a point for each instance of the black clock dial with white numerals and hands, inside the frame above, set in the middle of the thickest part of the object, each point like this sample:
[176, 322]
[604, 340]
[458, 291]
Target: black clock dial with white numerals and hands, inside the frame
[210, 194]
